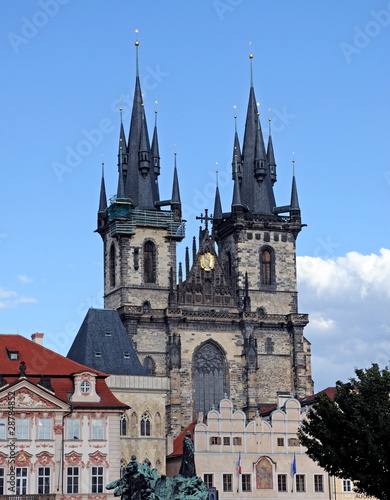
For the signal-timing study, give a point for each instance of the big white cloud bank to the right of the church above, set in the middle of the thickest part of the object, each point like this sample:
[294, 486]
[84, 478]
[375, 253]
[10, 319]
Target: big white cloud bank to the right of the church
[348, 300]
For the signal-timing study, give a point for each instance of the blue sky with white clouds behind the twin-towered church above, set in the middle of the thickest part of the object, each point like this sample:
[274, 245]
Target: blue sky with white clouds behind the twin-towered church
[321, 72]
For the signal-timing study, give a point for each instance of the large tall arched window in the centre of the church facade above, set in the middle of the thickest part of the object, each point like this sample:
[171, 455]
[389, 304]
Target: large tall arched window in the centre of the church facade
[210, 377]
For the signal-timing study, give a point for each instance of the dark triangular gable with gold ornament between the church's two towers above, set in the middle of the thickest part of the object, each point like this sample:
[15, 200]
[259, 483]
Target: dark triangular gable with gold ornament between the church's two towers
[207, 284]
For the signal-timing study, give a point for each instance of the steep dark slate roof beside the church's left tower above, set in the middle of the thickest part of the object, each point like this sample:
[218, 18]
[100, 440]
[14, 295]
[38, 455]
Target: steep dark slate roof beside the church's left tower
[103, 344]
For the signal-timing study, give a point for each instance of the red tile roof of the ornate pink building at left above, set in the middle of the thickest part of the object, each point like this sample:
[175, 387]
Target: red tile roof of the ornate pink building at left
[42, 361]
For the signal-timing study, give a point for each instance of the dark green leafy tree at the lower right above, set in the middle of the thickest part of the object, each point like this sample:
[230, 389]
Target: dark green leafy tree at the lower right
[349, 436]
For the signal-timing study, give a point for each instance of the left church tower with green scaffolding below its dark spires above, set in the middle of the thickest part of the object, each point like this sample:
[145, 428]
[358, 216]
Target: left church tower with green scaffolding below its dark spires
[140, 233]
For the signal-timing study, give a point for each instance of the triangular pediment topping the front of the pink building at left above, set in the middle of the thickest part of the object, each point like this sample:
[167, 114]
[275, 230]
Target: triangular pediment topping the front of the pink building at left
[23, 395]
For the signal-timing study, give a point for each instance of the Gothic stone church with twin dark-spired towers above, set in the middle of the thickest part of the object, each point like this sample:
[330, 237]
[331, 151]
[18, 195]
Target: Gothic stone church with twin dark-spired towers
[230, 327]
